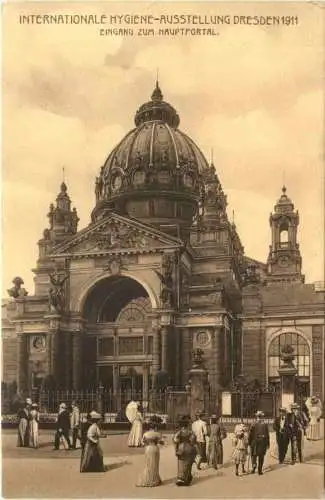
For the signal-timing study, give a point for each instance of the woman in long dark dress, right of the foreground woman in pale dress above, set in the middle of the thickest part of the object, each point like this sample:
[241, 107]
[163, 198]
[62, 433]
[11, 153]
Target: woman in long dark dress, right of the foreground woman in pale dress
[185, 448]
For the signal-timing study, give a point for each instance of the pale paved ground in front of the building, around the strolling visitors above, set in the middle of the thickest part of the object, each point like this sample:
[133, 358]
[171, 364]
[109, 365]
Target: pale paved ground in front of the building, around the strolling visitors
[45, 473]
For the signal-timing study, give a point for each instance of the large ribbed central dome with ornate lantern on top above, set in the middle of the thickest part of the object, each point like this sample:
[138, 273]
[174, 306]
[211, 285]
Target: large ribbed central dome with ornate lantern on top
[155, 173]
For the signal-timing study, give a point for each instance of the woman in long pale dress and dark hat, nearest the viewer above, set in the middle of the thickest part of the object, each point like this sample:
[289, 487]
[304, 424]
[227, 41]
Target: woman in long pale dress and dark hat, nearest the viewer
[151, 439]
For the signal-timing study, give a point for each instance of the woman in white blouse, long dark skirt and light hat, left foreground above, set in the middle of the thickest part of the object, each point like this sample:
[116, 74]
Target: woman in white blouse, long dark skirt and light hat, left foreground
[92, 455]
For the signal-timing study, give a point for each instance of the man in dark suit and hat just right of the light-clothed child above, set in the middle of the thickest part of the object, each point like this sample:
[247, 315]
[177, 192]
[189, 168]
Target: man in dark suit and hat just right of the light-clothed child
[259, 442]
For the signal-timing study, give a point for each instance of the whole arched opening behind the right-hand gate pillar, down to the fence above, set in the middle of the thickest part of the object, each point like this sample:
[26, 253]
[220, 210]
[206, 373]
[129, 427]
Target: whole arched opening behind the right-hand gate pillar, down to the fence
[301, 361]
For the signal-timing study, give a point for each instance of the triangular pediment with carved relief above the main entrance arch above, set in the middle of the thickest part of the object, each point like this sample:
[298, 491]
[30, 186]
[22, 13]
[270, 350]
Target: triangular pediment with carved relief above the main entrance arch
[116, 233]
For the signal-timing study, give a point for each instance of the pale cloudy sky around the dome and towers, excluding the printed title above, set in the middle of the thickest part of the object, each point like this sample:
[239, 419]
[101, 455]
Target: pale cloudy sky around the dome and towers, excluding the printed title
[253, 94]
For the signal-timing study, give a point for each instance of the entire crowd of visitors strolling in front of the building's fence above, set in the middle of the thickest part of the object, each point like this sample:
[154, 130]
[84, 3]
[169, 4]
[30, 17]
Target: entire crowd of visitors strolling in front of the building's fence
[197, 442]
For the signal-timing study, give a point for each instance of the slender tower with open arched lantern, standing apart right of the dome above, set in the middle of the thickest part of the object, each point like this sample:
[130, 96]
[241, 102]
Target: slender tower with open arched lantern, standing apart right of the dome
[284, 260]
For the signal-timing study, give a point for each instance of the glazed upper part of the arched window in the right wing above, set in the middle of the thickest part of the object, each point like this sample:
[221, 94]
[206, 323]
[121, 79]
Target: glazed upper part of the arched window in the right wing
[301, 350]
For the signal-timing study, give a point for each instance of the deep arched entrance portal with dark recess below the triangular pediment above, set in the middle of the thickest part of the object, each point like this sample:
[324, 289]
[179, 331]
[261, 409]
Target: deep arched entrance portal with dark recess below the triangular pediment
[118, 342]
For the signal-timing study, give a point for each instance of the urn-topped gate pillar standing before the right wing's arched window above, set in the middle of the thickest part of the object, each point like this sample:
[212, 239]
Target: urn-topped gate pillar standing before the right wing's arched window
[287, 372]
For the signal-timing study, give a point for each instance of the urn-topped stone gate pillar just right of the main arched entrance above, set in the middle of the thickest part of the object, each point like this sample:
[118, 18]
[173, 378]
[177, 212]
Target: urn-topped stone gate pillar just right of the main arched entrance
[199, 387]
